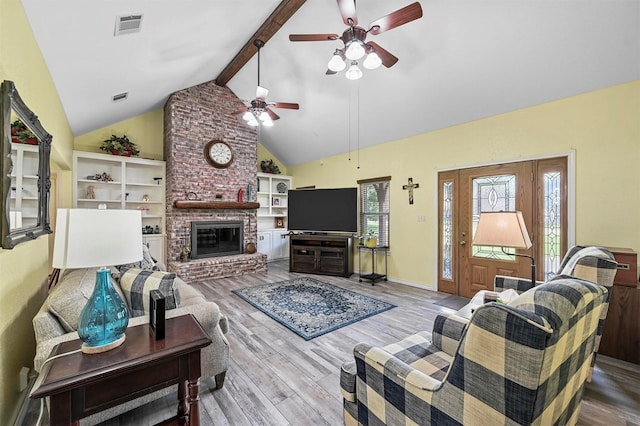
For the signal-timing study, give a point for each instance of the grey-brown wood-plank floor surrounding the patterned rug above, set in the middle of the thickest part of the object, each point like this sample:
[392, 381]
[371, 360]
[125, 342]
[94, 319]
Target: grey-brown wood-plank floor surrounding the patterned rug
[277, 378]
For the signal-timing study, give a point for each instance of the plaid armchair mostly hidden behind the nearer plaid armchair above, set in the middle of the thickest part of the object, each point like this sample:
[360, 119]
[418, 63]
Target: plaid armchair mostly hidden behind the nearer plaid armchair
[595, 264]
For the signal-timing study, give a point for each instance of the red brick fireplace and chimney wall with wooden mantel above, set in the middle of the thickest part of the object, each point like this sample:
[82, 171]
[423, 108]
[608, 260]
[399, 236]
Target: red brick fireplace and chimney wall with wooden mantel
[192, 118]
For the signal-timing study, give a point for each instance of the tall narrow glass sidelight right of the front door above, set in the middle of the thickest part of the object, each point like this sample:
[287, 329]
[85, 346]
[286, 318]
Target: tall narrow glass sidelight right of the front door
[552, 223]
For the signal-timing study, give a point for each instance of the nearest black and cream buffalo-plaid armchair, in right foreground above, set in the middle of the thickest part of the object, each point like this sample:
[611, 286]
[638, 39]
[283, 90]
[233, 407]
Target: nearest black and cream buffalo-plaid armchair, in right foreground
[523, 363]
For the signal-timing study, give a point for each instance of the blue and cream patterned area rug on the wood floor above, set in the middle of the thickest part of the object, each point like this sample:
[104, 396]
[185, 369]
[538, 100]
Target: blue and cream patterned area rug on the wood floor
[311, 308]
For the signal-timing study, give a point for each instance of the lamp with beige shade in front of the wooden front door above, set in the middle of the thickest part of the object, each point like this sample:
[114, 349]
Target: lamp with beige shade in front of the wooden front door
[504, 229]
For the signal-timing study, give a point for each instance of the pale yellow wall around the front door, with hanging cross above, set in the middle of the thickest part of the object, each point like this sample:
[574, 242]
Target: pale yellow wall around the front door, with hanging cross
[603, 127]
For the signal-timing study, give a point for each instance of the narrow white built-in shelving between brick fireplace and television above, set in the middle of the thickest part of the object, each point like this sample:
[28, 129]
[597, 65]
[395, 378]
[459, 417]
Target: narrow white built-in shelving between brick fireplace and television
[272, 194]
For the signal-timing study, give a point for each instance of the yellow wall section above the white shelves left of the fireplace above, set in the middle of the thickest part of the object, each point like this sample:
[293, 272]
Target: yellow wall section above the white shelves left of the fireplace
[145, 130]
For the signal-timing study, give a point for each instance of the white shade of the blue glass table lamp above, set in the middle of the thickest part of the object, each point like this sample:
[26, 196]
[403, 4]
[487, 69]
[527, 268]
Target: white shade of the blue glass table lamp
[87, 238]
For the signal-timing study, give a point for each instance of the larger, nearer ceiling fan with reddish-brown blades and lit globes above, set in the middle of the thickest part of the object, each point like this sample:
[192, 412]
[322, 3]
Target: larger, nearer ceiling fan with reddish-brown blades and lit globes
[354, 37]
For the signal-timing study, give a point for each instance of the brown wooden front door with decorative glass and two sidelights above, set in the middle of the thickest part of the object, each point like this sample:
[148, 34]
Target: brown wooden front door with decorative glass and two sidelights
[537, 188]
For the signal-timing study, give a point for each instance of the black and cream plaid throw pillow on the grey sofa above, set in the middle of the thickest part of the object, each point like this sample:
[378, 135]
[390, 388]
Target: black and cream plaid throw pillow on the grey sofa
[136, 284]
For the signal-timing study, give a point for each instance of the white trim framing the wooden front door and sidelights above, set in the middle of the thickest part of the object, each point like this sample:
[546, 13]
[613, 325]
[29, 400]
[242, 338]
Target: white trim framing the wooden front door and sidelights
[571, 193]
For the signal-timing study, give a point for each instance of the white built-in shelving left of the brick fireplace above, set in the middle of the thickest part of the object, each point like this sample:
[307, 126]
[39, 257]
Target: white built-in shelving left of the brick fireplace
[136, 184]
